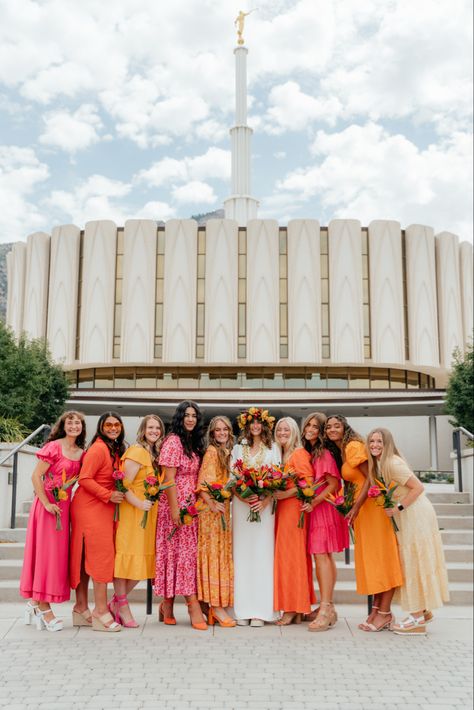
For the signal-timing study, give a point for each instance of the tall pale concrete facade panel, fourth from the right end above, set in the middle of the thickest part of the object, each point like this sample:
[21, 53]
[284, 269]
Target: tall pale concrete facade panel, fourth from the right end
[386, 292]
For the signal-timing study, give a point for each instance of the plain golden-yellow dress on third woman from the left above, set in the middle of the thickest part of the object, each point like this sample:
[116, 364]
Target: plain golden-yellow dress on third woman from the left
[135, 546]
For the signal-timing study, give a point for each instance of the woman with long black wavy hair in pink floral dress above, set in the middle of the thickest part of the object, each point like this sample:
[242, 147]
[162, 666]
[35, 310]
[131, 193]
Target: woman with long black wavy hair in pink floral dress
[176, 559]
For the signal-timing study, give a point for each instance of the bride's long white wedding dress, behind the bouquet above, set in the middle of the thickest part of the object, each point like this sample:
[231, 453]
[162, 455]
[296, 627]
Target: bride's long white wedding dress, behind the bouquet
[253, 547]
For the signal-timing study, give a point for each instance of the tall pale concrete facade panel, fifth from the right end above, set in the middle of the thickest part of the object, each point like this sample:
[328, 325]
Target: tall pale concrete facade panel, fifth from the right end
[345, 291]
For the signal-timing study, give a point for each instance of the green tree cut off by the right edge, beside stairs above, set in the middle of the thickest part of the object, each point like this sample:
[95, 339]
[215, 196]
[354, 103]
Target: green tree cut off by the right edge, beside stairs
[460, 389]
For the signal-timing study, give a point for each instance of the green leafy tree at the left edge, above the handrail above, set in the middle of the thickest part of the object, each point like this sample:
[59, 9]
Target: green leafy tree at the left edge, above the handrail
[33, 389]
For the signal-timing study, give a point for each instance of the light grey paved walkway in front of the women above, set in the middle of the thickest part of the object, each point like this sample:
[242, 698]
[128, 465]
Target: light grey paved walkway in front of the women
[270, 668]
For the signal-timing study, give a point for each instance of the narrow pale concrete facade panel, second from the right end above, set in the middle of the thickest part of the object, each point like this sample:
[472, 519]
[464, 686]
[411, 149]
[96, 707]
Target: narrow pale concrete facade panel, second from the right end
[449, 296]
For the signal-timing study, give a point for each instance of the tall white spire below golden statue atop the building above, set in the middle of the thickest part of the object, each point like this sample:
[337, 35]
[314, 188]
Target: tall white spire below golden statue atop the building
[240, 205]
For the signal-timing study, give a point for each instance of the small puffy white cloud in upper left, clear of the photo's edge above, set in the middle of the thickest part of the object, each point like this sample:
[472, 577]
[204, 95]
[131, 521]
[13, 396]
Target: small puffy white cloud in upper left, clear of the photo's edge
[71, 132]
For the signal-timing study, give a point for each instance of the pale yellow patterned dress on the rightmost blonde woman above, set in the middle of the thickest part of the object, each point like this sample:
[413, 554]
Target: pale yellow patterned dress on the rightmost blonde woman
[420, 545]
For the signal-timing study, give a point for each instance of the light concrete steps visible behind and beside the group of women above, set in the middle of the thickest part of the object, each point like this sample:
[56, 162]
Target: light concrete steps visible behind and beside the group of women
[455, 517]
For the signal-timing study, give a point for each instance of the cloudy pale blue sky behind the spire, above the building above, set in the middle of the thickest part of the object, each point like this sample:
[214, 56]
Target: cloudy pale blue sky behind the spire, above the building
[121, 110]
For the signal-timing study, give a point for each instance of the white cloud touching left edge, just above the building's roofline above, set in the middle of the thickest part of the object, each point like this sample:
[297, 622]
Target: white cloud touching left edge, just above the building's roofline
[21, 173]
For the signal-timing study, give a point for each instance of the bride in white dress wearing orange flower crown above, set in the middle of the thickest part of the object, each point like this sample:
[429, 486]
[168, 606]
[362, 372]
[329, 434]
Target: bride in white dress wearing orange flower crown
[253, 543]
